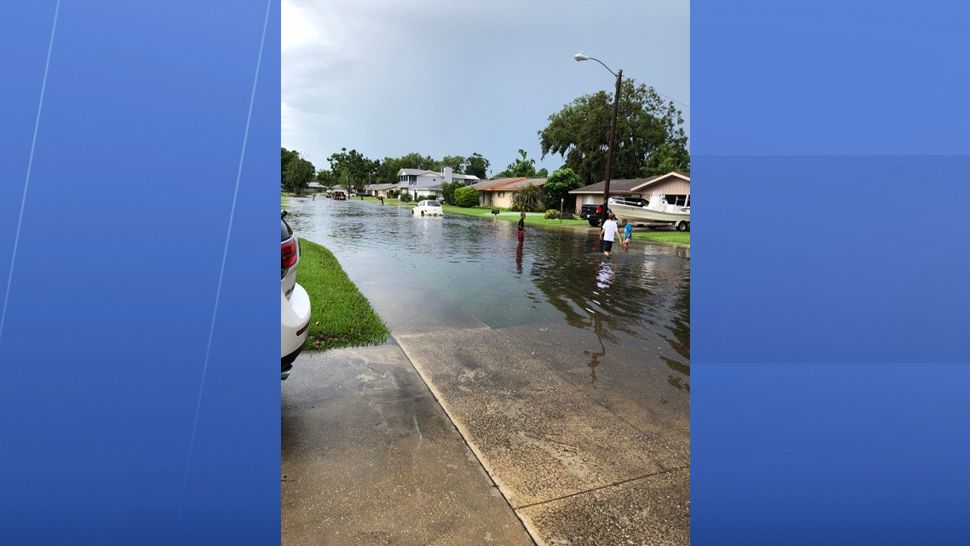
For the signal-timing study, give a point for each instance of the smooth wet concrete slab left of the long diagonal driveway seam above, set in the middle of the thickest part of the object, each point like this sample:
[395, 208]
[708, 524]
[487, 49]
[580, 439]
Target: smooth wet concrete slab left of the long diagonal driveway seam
[370, 458]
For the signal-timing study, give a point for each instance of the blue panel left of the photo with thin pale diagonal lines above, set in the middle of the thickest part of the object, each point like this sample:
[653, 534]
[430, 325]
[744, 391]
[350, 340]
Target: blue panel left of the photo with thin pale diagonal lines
[114, 286]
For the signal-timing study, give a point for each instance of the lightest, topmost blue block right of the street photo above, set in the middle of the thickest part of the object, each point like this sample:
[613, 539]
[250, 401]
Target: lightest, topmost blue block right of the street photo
[829, 77]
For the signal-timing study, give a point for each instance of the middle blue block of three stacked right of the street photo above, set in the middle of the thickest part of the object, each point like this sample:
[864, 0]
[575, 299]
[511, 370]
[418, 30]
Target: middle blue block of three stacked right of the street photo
[831, 259]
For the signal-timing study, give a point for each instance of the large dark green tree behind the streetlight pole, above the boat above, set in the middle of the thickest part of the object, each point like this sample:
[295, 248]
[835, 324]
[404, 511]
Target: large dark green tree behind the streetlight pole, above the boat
[650, 135]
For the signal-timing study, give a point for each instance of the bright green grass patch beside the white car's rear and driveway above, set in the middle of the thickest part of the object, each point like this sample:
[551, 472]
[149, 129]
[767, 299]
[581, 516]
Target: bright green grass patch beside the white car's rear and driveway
[341, 315]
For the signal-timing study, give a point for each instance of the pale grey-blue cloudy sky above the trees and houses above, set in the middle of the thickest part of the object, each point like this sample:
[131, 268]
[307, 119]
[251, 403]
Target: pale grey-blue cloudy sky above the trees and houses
[455, 77]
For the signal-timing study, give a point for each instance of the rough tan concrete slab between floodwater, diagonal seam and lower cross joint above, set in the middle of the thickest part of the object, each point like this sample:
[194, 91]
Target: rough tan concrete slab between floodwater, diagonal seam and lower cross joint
[539, 436]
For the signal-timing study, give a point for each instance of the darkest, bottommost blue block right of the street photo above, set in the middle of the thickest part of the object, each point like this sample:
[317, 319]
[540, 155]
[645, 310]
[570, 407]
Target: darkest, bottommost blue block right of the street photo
[820, 453]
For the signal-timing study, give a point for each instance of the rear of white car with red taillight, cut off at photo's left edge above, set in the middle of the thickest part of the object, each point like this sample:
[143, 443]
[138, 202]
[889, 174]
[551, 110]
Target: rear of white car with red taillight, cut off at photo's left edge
[294, 301]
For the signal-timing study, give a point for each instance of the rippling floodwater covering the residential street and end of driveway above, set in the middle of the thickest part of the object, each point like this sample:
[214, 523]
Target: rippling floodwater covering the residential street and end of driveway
[623, 317]
